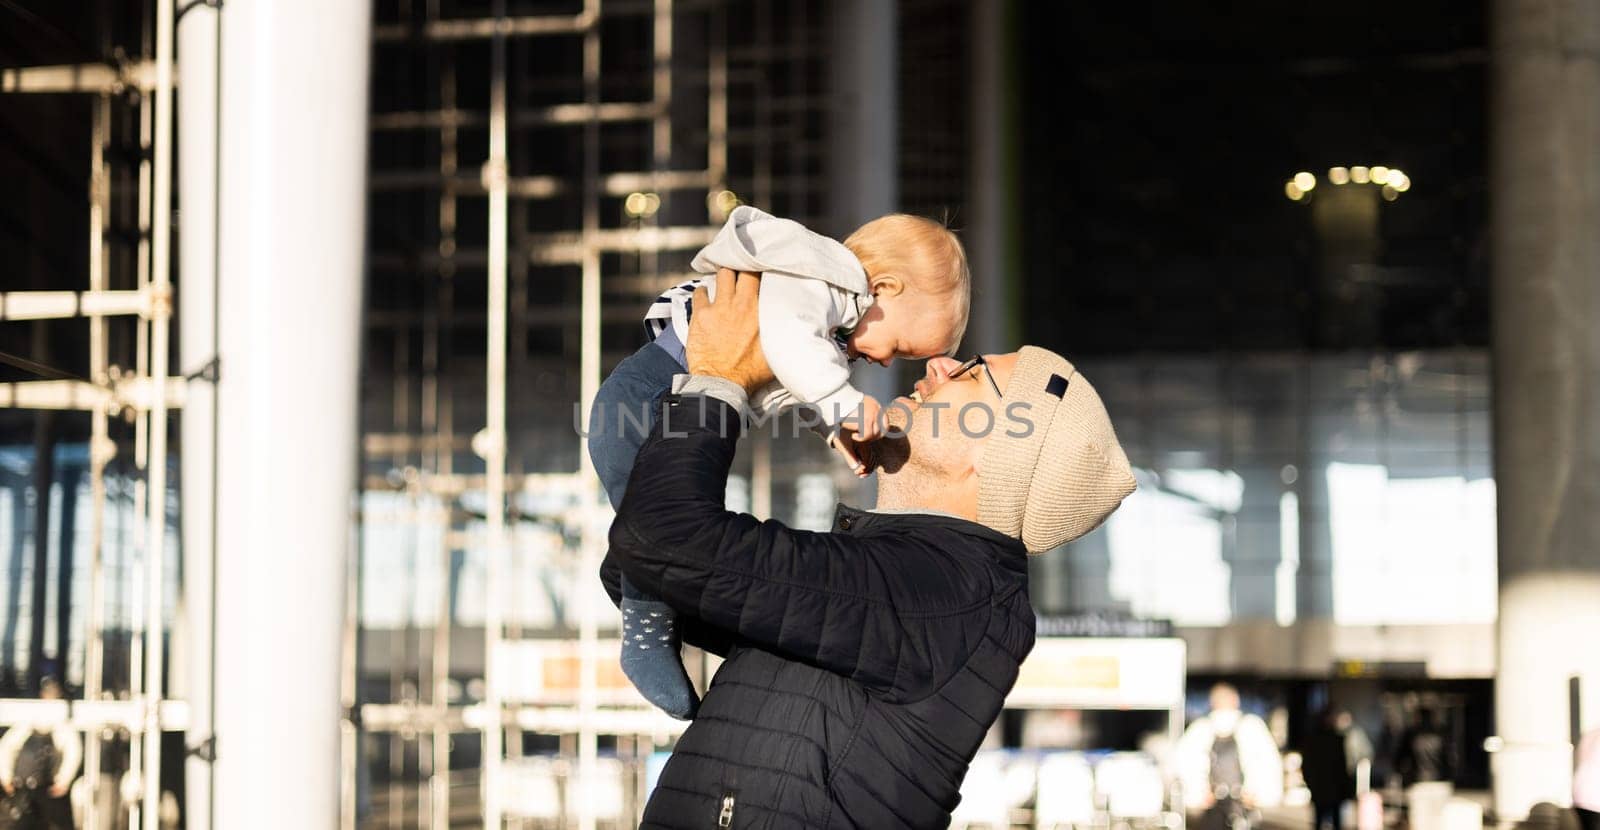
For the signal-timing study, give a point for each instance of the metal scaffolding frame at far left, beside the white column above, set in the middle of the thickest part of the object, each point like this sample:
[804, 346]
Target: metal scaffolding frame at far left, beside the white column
[143, 391]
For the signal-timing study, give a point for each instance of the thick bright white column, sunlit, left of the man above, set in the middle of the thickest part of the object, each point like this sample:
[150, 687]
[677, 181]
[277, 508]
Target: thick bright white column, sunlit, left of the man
[294, 164]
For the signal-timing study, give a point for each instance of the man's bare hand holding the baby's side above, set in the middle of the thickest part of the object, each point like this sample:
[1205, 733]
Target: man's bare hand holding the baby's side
[726, 337]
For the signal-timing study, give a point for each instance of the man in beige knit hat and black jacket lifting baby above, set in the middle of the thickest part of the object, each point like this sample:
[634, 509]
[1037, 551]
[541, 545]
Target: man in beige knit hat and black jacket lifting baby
[863, 666]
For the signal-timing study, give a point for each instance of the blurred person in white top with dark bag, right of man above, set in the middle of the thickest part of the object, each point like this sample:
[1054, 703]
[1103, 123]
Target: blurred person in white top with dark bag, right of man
[1228, 764]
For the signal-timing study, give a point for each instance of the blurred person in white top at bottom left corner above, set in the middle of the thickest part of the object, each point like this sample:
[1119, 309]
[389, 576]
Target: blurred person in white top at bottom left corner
[38, 765]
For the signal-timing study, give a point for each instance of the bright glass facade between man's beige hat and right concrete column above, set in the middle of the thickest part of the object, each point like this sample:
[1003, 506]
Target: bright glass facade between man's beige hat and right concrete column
[1353, 487]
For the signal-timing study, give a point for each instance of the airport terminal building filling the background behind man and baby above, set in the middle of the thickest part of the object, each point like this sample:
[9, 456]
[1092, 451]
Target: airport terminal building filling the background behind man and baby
[1281, 239]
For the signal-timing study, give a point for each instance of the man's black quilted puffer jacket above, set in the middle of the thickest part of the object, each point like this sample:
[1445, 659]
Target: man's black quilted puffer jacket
[863, 666]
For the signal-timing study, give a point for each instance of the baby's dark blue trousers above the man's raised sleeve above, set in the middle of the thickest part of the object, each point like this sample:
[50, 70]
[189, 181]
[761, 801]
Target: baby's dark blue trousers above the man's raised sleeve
[626, 409]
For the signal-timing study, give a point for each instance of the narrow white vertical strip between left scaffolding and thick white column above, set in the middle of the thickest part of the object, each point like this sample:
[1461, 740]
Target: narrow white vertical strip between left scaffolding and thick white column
[198, 180]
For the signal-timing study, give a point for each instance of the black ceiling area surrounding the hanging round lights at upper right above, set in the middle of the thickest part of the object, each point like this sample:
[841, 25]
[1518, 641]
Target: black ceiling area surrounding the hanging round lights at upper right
[1158, 142]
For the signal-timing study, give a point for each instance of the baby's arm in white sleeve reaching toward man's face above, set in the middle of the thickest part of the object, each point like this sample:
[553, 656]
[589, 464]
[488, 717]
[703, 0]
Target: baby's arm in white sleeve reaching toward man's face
[798, 322]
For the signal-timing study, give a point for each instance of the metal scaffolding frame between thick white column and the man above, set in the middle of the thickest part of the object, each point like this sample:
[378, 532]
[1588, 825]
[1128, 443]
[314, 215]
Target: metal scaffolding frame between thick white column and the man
[618, 268]
